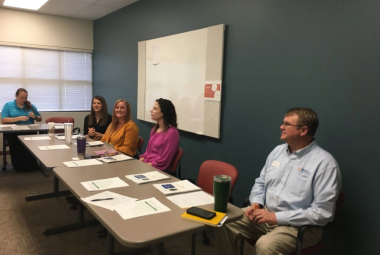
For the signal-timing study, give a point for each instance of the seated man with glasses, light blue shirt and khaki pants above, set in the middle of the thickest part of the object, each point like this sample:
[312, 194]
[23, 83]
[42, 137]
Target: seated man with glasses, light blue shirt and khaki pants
[299, 185]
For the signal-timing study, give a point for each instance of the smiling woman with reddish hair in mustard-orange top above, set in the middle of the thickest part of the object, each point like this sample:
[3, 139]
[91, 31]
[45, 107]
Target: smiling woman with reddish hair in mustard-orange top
[122, 133]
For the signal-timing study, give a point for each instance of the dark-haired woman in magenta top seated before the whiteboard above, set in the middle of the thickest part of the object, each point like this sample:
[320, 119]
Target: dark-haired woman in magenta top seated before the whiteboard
[164, 137]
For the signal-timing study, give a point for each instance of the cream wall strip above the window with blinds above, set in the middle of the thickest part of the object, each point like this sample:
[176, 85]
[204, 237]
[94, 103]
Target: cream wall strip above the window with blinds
[28, 29]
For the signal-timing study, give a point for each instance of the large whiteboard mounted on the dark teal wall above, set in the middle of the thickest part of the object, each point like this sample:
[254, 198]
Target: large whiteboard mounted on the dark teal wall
[187, 69]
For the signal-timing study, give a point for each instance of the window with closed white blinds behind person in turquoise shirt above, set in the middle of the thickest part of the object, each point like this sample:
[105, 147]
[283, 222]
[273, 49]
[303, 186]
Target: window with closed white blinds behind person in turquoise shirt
[55, 80]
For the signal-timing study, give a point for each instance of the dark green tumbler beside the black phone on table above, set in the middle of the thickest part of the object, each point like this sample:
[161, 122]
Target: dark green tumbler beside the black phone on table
[222, 186]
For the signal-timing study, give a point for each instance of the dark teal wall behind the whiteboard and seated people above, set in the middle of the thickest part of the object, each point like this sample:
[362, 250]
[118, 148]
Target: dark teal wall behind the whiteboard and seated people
[278, 54]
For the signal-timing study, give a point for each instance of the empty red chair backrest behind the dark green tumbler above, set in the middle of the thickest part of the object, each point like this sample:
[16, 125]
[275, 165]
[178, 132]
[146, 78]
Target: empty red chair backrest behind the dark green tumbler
[209, 169]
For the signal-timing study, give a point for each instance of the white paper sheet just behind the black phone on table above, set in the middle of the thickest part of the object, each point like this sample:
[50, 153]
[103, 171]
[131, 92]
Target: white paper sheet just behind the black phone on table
[188, 200]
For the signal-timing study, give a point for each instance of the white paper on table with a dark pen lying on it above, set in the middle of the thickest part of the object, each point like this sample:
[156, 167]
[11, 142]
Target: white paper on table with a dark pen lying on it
[117, 201]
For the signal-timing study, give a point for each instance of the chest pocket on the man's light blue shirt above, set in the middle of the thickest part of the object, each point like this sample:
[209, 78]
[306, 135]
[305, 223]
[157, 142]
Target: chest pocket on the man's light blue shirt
[299, 181]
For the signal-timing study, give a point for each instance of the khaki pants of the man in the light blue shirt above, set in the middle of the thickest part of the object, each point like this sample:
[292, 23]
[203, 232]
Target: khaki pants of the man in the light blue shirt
[271, 239]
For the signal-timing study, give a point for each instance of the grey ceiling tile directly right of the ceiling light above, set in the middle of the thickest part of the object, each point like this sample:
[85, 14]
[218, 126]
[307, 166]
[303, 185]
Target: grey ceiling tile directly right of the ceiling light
[63, 7]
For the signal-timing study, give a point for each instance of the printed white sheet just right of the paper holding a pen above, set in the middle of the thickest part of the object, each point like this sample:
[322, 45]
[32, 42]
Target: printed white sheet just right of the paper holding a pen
[142, 208]
